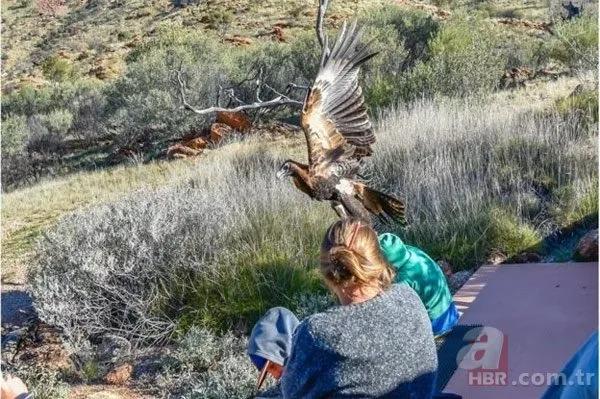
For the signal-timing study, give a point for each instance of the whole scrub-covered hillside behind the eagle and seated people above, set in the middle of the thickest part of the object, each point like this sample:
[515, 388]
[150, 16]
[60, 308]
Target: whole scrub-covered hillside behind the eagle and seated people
[486, 119]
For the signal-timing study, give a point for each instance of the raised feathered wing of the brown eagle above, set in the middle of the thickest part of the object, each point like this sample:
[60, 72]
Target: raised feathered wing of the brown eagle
[334, 117]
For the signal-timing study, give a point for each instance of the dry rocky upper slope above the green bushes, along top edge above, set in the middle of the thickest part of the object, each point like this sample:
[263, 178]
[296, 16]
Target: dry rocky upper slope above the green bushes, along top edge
[96, 35]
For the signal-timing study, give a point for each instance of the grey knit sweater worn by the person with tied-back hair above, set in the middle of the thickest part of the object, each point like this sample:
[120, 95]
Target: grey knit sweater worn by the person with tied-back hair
[381, 348]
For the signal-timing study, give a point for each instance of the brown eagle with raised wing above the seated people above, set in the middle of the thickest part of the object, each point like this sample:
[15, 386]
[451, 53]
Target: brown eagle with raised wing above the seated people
[339, 134]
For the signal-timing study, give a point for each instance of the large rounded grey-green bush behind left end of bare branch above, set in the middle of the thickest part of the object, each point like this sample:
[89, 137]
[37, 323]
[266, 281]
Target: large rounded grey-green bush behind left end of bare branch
[144, 104]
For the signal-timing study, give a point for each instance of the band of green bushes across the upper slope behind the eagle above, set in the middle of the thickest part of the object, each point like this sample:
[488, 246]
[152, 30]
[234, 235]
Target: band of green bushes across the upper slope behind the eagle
[75, 122]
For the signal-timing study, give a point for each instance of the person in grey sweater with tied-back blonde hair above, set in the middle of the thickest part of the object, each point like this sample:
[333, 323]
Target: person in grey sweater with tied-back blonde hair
[377, 343]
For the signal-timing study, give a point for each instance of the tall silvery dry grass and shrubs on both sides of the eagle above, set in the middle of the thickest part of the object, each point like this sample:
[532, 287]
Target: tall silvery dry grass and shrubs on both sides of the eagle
[224, 241]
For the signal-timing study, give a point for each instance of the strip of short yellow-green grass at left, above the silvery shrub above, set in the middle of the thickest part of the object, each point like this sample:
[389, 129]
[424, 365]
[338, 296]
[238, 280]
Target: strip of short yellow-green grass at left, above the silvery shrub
[29, 211]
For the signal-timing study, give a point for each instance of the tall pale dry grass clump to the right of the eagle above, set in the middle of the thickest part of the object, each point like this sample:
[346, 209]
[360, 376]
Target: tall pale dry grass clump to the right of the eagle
[476, 181]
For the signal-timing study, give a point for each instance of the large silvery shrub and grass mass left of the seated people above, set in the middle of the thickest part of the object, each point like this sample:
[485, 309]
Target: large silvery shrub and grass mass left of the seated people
[212, 255]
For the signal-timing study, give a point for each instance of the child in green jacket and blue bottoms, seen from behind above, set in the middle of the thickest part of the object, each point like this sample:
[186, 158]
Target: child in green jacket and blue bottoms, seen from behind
[416, 269]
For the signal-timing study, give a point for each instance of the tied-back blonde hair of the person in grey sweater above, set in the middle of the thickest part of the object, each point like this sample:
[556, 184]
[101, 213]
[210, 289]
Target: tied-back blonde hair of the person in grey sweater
[350, 255]
